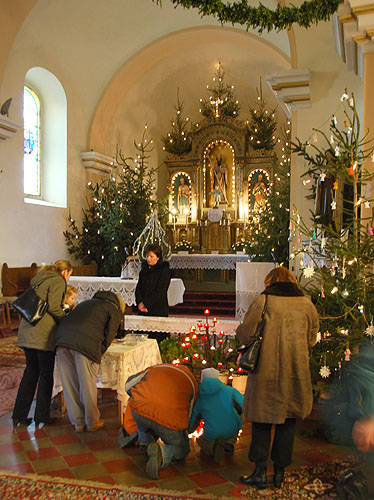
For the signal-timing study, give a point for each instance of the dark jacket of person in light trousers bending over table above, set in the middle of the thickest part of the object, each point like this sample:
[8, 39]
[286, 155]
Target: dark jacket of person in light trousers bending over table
[91, 326]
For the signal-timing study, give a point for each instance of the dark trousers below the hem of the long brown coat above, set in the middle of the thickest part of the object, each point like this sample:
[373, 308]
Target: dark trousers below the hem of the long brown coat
[281, 450]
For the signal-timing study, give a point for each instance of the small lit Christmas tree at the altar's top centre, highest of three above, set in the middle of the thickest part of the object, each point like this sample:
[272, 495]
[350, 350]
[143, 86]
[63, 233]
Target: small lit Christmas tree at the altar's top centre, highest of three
[222, 102]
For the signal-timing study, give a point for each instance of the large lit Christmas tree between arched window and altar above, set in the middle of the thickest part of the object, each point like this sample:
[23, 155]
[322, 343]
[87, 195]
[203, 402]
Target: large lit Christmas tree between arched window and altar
[118, 211]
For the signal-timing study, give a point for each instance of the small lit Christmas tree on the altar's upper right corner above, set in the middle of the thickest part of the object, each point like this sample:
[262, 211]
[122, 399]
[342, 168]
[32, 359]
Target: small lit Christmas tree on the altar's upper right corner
[262, 126]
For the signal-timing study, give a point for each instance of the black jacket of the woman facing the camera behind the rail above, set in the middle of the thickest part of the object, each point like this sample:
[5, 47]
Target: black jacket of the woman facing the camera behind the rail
[152, 288]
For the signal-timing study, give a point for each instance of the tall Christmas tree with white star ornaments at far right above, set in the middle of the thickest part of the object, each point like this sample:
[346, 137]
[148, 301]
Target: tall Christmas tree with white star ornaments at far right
[335, 249]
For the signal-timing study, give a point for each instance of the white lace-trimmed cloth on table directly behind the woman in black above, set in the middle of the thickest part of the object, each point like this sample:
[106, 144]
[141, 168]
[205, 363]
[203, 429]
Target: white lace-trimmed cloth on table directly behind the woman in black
[88, 285]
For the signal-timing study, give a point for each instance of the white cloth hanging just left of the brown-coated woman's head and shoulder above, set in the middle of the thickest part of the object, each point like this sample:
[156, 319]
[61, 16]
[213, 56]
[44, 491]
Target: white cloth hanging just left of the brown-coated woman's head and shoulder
[249, 284]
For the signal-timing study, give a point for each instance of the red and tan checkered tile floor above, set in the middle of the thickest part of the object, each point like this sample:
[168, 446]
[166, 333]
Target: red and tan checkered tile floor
[59, 451]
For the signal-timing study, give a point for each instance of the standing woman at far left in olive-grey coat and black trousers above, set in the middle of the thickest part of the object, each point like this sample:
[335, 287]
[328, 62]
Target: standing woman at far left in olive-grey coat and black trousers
[38, 342]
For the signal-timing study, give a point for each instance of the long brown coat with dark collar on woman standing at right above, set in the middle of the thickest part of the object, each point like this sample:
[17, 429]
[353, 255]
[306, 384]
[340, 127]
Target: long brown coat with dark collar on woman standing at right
[281, 385]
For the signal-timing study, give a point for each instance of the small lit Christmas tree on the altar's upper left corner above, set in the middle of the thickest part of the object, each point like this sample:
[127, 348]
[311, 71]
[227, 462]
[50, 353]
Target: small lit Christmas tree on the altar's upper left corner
[177, 141]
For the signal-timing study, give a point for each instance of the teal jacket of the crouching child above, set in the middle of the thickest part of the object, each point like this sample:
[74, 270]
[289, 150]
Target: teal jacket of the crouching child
[218, 406]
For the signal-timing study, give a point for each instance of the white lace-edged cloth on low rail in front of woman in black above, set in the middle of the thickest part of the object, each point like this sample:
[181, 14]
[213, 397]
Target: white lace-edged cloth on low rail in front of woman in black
[175, 324]
